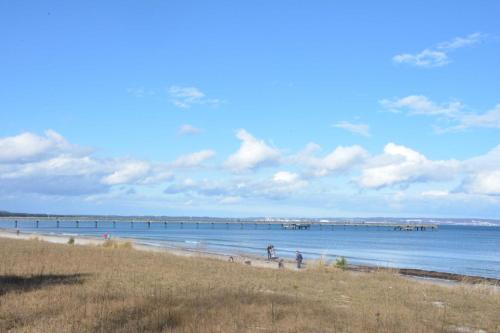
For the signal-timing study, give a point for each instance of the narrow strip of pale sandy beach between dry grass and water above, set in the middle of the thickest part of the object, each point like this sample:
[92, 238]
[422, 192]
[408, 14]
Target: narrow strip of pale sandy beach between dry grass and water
[420, 275]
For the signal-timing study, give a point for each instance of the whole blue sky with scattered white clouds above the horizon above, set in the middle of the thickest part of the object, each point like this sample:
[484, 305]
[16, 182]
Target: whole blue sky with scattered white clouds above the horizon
[255, 108]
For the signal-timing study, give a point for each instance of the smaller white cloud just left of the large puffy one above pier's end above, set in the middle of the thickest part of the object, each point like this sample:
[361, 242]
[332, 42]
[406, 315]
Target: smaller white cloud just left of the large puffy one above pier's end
[338, 160]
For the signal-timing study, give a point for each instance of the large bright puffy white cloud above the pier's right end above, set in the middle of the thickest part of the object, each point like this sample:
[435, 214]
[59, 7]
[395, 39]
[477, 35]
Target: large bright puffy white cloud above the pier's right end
[399, 165]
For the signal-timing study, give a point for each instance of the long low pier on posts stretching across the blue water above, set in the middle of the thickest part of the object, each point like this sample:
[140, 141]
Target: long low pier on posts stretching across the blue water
[112, 222]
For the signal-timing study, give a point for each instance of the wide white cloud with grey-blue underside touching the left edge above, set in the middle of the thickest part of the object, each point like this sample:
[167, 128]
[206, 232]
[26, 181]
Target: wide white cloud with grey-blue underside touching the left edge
[51, 165]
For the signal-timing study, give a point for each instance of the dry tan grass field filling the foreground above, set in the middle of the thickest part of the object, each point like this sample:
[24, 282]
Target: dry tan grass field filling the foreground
[59, 288]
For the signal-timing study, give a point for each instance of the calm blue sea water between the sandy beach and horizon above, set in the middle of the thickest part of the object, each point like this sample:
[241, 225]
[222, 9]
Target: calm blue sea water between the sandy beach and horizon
[471, 250]
